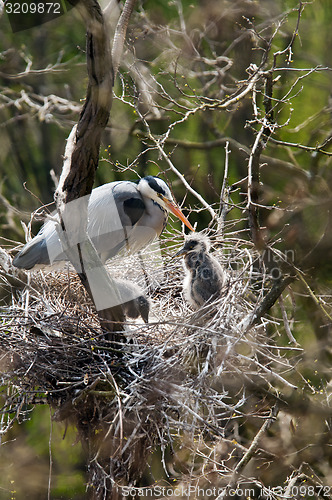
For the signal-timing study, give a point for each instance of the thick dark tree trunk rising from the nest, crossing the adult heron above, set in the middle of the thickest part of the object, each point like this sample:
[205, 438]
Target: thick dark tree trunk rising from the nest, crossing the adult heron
[81, 161]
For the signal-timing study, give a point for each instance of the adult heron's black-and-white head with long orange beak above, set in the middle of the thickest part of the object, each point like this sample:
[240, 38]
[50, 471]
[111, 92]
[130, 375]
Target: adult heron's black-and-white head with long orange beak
[157, 190]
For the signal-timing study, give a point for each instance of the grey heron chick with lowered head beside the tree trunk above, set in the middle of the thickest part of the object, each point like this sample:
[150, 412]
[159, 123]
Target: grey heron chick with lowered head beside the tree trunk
[133, 301]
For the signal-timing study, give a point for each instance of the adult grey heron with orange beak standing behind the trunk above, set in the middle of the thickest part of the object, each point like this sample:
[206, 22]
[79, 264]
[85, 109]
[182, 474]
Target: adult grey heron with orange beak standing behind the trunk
[121, 215]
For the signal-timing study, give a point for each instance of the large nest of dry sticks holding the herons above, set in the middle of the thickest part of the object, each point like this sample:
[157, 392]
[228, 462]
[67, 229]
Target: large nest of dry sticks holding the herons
[184, 373]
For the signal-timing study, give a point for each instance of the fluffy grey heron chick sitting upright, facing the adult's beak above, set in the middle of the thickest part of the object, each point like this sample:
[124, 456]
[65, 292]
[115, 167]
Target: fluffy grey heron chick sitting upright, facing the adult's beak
[205, 278]
